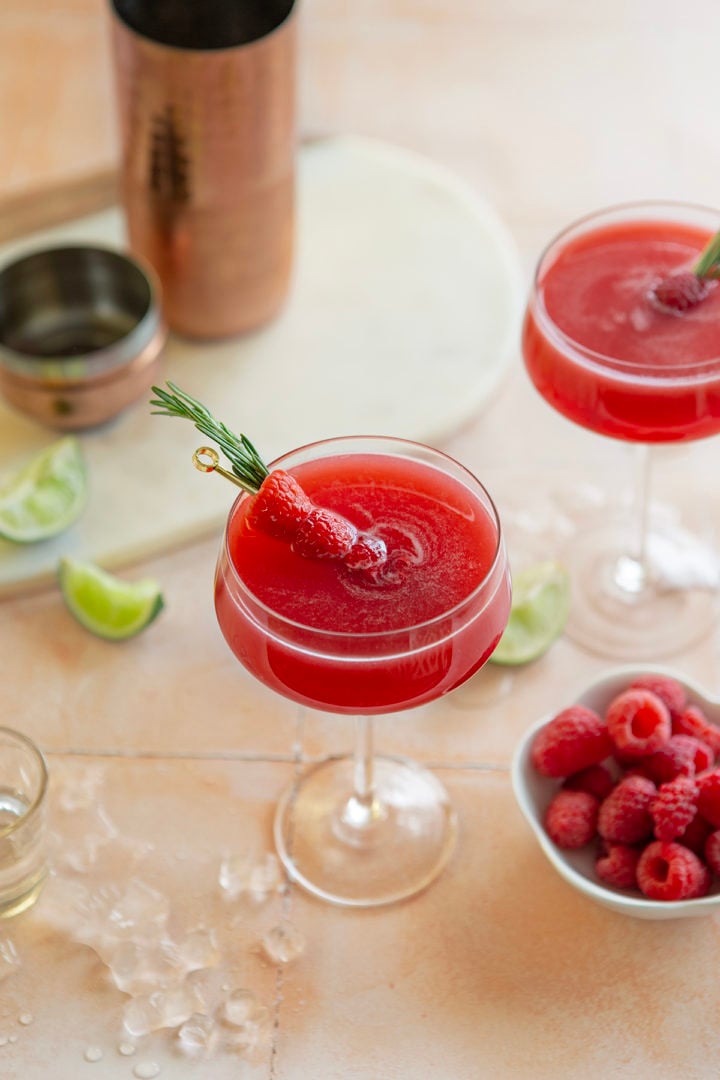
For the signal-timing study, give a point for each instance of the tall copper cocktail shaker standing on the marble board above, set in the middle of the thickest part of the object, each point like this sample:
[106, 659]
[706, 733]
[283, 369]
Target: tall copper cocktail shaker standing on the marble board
[207, 100]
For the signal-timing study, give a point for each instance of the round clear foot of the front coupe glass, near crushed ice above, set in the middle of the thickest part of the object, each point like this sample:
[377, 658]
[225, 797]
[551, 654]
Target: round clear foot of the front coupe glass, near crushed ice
[364, 855]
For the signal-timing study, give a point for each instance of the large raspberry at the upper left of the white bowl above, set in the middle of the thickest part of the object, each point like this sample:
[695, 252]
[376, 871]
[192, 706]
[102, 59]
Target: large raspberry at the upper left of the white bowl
[572, 741]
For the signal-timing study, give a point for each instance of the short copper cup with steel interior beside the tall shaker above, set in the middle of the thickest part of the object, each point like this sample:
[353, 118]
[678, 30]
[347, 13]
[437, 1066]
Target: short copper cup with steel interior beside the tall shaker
[81, 334]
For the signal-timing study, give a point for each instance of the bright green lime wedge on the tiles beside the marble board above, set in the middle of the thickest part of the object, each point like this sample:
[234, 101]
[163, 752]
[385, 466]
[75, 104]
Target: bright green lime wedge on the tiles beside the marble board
[105, 605]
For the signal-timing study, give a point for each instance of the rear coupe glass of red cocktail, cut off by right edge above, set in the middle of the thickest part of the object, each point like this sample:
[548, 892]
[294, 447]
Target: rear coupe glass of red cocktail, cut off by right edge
[612, 348]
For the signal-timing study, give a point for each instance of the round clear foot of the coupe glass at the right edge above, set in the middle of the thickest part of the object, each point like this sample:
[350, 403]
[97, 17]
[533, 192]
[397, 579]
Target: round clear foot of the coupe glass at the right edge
[630, 611]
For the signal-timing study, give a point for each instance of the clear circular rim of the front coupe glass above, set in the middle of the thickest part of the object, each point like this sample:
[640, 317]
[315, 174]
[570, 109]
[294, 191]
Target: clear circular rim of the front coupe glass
[375, 634]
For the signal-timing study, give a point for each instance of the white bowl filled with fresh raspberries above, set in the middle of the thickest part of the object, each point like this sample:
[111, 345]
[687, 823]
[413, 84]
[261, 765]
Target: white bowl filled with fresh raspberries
[622, 789]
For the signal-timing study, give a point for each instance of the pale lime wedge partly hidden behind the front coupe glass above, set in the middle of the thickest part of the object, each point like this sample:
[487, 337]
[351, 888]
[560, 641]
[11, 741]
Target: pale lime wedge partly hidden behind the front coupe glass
[539, 612]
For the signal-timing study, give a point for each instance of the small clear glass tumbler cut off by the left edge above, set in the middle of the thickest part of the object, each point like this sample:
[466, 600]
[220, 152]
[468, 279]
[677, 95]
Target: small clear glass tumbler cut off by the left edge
[23, 822]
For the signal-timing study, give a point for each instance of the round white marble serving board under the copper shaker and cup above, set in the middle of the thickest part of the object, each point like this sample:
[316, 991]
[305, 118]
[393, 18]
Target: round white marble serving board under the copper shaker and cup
[403, 317]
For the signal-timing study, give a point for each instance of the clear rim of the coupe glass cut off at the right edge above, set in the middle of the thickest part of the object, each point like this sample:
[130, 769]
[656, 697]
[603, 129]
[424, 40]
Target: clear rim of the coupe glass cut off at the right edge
[578, 225]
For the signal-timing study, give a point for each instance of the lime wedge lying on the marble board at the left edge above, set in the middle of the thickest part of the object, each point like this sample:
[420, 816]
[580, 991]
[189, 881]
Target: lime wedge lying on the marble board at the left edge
[47, 495]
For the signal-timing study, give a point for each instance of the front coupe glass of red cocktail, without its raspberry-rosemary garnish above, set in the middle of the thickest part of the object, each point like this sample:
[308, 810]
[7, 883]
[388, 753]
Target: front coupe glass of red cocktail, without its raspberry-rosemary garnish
[365, 830]
